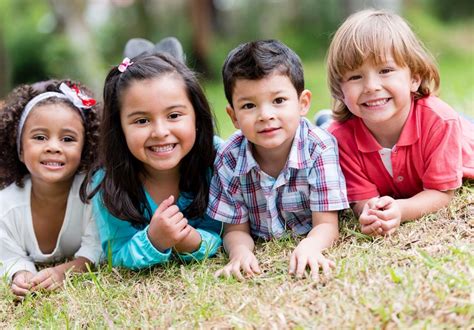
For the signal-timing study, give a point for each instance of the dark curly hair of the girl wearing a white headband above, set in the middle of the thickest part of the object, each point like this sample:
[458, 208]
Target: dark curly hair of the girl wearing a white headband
[12, 170]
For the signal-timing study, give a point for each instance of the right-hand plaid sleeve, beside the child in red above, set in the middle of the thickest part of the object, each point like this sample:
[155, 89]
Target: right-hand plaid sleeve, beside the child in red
[328, 186]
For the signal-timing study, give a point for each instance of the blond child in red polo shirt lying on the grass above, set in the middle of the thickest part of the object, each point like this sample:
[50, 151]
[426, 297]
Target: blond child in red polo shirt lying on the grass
[403, 151]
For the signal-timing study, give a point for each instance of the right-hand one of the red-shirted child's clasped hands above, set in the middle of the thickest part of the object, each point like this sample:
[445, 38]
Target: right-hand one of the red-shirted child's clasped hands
[388, 211]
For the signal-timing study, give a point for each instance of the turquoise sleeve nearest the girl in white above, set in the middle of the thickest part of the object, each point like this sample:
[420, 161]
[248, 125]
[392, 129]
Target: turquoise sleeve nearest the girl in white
[124, 245]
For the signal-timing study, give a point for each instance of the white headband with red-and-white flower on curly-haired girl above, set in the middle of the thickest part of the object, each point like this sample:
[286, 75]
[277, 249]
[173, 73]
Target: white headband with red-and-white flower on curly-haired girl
[73, 94]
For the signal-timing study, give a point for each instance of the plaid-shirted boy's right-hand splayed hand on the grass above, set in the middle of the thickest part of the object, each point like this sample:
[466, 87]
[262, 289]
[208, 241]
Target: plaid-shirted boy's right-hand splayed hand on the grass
[307, 253]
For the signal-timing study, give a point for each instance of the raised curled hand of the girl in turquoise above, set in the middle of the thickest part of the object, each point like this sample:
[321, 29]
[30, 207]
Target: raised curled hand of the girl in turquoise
[168, 226]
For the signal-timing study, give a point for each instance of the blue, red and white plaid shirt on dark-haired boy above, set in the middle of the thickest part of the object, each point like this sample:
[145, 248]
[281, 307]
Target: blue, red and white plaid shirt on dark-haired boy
[311, 181]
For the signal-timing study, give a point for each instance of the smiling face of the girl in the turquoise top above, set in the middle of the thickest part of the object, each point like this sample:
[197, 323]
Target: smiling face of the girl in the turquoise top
[158, 122]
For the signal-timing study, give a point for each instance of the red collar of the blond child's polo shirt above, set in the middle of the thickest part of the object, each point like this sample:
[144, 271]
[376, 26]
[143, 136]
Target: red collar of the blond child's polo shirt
[367, 143]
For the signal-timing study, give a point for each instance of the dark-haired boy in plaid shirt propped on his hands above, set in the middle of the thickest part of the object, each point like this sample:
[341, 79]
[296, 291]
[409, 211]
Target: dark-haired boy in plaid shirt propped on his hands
[278, 173]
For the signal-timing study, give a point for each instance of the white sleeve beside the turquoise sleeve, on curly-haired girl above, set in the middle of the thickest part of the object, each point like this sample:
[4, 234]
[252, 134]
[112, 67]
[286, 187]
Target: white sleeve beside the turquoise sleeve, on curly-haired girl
[90, 244]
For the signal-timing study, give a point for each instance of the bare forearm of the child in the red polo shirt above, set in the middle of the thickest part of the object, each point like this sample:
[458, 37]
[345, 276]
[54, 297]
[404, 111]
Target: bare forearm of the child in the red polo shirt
[425, 202]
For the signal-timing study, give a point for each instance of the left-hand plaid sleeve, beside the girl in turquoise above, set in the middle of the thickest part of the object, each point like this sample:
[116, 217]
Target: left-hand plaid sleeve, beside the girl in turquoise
[226, 203]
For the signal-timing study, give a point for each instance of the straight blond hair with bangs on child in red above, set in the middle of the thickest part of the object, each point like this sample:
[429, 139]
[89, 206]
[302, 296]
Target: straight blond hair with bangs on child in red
[372, 35]
